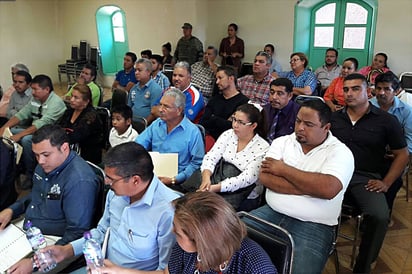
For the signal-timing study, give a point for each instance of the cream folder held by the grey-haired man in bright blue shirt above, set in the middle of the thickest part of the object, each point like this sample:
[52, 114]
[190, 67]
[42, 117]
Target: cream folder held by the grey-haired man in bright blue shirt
[165, 164]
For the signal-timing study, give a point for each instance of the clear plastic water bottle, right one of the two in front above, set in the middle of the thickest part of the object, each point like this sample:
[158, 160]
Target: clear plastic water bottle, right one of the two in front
[92, 253]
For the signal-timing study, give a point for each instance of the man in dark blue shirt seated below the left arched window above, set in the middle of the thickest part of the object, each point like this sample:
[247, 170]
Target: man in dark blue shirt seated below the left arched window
[126, 79]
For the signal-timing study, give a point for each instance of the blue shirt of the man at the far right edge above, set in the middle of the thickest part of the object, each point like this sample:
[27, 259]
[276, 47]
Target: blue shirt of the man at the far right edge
[403, 113]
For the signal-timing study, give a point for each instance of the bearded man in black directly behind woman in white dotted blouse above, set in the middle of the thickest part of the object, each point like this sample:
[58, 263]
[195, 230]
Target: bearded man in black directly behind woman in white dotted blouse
[221, 106]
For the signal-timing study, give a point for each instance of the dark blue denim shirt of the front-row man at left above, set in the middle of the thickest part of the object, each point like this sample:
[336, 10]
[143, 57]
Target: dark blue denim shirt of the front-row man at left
[62, 202]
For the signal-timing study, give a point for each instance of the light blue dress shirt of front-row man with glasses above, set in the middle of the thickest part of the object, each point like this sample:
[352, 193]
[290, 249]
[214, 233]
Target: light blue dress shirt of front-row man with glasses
[141, 234]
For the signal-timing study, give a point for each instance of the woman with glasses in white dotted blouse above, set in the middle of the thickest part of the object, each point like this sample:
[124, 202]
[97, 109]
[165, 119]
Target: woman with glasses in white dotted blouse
[243, 146]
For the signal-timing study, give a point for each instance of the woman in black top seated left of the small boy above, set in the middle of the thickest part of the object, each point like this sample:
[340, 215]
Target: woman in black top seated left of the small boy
[83, 124]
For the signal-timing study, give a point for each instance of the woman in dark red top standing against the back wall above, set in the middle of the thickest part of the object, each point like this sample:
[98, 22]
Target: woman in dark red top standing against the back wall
[232, 48]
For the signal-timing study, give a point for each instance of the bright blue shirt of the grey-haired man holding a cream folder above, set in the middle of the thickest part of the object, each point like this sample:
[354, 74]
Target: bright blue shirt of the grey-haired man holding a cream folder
[185, 139]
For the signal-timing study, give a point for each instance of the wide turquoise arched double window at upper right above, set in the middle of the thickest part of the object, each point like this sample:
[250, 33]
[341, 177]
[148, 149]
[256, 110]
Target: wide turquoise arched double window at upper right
[347, 25]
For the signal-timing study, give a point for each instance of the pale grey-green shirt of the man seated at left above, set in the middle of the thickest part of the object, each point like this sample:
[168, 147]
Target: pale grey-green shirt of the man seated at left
[43, 114]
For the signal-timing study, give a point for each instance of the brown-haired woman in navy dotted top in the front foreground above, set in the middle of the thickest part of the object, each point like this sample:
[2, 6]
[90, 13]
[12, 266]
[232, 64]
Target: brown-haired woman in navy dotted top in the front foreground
[210, 239]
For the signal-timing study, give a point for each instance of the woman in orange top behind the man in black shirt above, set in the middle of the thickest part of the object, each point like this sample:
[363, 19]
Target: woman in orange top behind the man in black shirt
[334, 93]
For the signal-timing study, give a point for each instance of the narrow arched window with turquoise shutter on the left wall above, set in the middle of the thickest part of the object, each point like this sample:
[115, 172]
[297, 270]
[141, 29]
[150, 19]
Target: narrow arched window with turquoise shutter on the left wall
[112, 35]
